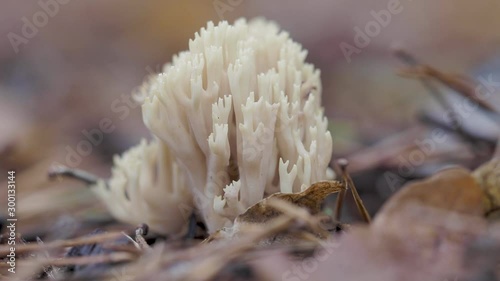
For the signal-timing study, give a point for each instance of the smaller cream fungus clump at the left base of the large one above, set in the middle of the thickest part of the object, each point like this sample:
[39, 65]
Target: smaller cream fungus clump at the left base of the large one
[147, 186]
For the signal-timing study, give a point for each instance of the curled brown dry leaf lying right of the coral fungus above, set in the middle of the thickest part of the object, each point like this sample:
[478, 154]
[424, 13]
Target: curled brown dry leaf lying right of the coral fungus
[448, 199]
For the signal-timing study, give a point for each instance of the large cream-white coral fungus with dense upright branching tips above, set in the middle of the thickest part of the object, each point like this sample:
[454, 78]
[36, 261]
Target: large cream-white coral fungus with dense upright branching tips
[240, 113]
